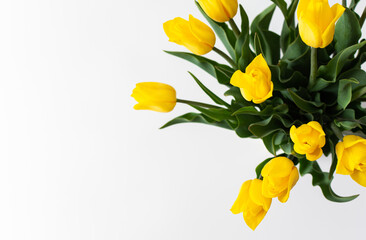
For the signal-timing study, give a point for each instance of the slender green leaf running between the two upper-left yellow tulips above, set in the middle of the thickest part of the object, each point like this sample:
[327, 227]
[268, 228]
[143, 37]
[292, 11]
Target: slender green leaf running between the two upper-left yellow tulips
[226, 35]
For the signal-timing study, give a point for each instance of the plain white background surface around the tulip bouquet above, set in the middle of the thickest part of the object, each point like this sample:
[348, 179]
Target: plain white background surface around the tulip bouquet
[77, 162]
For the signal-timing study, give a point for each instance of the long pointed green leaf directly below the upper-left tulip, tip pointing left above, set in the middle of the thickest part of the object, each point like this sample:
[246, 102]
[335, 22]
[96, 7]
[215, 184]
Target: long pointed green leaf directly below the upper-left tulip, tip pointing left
[221, 72]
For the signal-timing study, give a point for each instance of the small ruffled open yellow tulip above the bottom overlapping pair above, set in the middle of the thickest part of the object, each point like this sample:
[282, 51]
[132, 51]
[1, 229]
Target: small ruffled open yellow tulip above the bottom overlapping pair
[308, 139]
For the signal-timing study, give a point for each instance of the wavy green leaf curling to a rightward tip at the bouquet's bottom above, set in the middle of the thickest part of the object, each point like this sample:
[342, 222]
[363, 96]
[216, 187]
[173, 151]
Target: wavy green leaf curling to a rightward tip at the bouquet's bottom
[322, 180]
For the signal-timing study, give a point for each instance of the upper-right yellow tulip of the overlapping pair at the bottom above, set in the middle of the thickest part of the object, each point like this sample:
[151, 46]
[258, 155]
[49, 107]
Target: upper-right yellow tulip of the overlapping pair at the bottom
[279, 177]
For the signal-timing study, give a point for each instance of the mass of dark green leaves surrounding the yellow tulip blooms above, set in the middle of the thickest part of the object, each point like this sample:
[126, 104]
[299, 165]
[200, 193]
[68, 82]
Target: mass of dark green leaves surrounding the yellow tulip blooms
[334, 101]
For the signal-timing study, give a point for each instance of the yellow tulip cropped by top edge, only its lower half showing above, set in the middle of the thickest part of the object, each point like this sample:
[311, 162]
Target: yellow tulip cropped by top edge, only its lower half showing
[220, 10]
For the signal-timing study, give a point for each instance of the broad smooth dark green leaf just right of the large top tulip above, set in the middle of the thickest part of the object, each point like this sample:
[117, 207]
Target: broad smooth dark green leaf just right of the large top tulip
[347, 31]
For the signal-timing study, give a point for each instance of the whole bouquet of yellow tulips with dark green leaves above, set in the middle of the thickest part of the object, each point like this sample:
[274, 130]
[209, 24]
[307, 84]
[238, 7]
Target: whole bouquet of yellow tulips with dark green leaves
[300, 92]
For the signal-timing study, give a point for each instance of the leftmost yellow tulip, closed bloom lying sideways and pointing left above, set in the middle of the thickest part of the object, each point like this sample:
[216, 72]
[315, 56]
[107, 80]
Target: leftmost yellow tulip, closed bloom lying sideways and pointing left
[154, 96]
